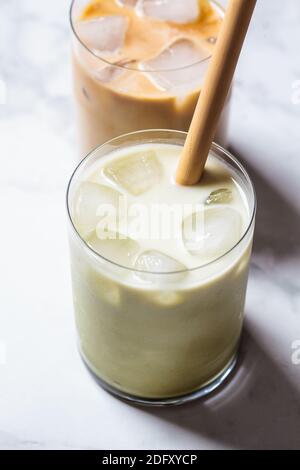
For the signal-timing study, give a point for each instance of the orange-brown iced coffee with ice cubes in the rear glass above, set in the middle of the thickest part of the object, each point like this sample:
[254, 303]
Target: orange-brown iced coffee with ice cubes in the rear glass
[140, 65]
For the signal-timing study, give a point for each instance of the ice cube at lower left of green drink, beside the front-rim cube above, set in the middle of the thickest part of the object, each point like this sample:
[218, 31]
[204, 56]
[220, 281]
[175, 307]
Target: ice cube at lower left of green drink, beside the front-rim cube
[116, 247]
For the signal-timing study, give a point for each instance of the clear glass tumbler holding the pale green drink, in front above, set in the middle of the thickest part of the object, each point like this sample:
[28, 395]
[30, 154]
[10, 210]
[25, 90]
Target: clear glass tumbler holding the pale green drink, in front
[133, 337]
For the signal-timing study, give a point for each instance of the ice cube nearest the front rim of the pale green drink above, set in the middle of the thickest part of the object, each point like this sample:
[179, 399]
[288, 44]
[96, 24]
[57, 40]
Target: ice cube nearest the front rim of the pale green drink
[154, 262]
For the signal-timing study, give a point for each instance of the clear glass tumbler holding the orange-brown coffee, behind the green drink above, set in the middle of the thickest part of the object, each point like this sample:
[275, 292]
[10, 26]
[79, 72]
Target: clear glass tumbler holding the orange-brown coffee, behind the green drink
[114, 98]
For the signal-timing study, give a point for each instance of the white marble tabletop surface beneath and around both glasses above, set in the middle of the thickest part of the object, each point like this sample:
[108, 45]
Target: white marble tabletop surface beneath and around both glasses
[47, 399]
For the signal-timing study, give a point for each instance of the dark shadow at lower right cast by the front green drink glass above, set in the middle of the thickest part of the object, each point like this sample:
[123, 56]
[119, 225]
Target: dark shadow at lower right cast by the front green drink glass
[259, 408]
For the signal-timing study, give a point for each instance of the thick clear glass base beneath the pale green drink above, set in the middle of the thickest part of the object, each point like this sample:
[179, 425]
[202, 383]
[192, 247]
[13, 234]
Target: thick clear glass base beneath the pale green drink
[173, 401]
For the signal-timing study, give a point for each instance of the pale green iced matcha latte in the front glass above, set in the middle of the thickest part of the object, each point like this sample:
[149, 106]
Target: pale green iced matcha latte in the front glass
[159, 270]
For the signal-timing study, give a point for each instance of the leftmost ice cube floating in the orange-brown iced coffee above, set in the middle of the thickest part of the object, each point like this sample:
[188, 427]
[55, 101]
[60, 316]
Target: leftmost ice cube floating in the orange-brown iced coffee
[104, 35]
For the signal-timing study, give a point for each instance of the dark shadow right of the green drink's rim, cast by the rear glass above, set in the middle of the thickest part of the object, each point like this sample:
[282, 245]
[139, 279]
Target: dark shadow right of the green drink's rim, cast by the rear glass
[278, 221]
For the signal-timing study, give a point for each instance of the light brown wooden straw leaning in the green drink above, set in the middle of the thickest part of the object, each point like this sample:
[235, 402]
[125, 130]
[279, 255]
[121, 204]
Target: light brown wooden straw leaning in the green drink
[215, 90]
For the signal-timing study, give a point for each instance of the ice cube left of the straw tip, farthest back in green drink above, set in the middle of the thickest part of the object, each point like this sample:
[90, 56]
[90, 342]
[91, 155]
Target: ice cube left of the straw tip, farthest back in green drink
[137, 173]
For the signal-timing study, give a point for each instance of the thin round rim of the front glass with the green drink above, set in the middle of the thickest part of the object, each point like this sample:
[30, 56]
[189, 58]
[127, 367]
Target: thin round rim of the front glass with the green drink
[215, 146]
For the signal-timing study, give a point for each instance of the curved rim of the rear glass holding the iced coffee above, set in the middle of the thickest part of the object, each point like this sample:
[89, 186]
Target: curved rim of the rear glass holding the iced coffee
[126, 67]
